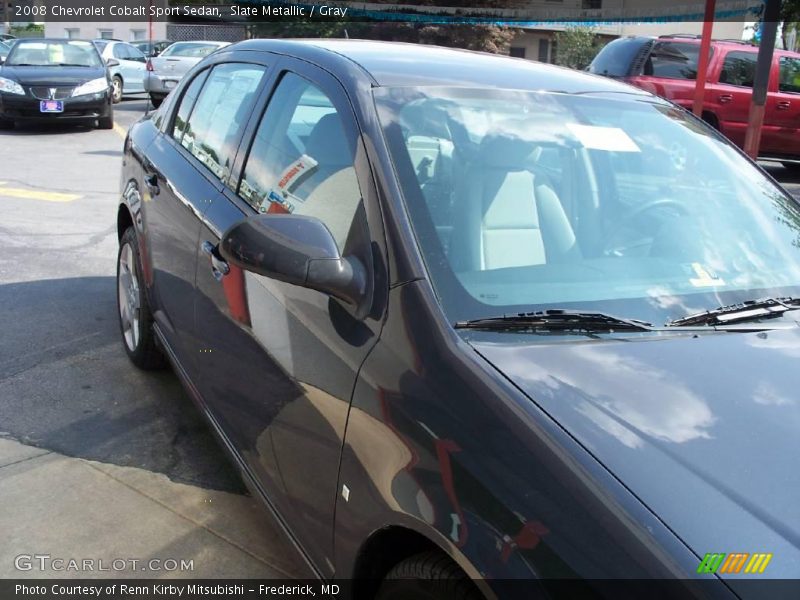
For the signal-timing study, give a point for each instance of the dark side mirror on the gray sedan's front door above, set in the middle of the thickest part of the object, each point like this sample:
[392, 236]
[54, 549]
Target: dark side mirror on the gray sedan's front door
[299, 250]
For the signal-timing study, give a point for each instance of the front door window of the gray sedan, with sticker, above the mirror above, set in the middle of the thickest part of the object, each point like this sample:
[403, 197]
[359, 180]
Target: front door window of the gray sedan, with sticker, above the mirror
[301, 160]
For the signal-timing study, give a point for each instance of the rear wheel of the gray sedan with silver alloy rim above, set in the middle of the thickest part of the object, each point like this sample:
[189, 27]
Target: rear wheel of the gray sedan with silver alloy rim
[133, 309]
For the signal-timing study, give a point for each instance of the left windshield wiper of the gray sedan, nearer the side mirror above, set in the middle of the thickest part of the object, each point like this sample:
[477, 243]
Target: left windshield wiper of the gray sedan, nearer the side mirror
[557, 320]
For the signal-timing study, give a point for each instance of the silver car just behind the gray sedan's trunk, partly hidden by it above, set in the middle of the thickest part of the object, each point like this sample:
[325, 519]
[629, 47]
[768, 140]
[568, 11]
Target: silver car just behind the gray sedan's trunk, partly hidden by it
[165, 70]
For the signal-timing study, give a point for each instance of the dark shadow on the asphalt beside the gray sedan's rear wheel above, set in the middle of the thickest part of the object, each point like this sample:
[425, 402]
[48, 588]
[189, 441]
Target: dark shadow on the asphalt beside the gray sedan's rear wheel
[68, 386]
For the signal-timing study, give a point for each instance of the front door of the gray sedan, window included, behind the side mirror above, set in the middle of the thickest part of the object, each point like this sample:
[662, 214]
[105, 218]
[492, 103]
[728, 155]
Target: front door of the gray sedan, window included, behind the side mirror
[279, 362]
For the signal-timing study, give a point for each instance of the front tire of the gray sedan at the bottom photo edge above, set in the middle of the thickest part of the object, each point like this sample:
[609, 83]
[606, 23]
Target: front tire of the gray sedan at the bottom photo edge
[427, 576]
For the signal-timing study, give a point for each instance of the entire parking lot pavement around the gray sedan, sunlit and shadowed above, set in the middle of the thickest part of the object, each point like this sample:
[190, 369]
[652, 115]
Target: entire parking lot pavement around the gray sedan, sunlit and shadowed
[97, 460]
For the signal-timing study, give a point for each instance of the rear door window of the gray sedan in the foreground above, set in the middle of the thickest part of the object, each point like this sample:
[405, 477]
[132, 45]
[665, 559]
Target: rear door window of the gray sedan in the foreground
[212, 131]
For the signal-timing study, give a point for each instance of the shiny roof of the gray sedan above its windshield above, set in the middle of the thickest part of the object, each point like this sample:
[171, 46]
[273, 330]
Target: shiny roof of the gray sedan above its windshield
[401, 64]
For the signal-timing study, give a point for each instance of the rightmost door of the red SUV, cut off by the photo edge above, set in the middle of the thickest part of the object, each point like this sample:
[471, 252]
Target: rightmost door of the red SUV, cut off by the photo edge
[782, 115]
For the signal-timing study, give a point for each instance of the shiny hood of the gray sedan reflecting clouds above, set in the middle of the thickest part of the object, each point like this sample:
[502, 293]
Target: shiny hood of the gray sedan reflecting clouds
[704, 430]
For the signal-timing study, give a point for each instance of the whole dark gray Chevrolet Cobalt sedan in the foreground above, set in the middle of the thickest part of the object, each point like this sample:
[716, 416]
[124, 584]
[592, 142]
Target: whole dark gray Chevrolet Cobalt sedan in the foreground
[467, 318]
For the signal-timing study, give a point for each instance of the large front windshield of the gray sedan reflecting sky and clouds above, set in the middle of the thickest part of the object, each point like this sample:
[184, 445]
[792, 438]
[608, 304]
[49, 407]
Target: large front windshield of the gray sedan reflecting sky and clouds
[620, 203]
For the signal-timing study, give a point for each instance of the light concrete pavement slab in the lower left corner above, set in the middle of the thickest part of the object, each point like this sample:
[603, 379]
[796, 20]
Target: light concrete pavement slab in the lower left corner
[71, 508]
